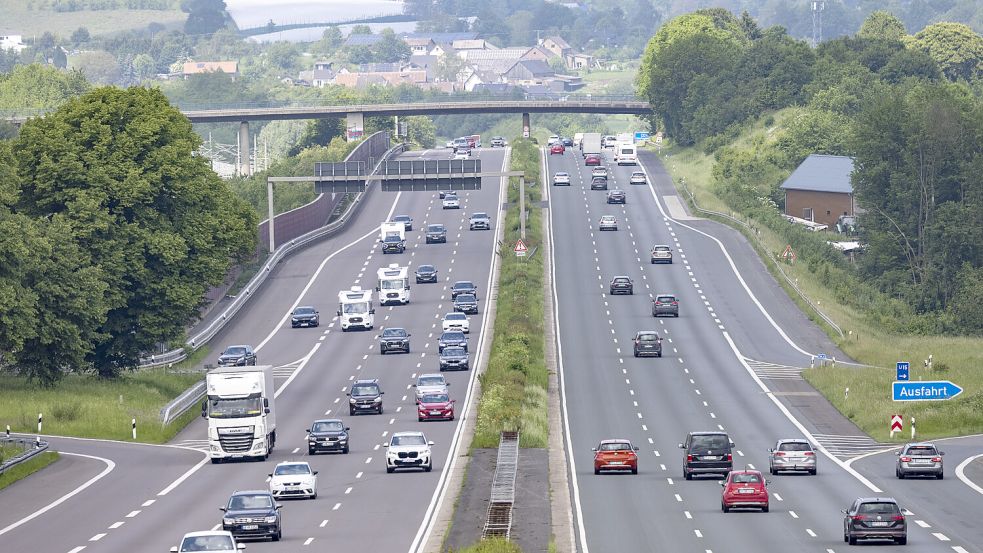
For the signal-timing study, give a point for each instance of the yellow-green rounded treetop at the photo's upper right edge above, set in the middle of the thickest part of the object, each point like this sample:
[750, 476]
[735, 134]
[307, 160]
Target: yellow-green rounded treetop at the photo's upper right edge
[955, 48]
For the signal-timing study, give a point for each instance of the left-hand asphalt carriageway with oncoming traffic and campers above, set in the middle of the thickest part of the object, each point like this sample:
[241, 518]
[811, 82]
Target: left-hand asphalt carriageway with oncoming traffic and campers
[359, 506]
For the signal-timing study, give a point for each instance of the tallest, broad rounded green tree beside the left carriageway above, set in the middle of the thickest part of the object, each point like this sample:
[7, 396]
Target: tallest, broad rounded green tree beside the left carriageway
[118, 167]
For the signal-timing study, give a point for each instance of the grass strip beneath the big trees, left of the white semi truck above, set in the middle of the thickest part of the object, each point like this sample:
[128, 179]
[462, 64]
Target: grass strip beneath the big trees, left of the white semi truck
[89, 407]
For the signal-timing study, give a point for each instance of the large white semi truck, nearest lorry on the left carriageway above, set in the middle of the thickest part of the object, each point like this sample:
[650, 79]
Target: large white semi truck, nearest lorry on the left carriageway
[240, 412]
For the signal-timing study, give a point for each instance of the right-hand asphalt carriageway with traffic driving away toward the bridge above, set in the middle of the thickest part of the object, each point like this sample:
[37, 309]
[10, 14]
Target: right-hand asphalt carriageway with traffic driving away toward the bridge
[732, 361]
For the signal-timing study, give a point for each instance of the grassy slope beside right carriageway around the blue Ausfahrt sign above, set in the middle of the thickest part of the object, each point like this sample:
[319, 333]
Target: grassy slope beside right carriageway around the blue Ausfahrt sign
[869, 403]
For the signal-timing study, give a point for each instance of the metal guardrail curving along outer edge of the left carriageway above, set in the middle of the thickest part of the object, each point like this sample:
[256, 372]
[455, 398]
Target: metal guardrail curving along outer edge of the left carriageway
[182, 403]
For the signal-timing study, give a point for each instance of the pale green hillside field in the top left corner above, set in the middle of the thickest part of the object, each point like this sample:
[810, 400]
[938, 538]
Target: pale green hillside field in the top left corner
[19, 18]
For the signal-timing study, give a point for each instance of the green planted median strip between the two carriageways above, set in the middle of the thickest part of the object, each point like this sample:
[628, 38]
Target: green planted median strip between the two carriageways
[514, 386]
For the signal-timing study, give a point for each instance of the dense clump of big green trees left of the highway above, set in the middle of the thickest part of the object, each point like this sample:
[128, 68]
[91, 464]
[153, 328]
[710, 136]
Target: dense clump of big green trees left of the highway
[112, 231]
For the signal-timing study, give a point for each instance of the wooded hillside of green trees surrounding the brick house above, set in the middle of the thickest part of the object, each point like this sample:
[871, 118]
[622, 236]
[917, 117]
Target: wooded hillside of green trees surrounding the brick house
[908, 109]
